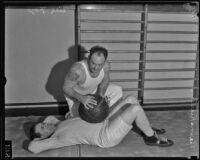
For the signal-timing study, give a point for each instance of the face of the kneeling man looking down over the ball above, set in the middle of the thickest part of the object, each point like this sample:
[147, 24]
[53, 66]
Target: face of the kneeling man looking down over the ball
[96, 63]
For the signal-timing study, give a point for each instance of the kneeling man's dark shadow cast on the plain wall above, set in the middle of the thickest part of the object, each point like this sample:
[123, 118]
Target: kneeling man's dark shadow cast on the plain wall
[57, 75]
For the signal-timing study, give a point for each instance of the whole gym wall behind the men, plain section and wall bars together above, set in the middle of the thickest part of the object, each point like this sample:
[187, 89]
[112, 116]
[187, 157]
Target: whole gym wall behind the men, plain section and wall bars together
[152, 50]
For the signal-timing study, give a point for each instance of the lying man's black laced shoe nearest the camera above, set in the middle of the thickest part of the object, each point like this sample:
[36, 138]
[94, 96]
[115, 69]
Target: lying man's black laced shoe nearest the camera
[158, 141]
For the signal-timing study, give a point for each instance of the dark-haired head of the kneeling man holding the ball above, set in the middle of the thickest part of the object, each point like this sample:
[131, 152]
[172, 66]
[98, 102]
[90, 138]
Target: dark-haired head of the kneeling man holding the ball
[97, 58]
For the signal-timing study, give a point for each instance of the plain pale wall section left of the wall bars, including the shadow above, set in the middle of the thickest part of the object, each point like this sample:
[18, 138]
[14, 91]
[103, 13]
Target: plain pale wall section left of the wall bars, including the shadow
[39, 48]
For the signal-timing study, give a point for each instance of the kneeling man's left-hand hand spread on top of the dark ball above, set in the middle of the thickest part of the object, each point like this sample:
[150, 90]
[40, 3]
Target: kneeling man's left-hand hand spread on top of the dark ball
[89, 101]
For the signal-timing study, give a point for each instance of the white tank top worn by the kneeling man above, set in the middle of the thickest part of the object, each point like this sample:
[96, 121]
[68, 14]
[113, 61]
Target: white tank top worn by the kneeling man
[90, 84]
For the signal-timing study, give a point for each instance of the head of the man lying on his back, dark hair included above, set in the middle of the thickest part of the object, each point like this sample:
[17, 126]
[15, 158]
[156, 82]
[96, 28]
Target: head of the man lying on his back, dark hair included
[41, 131]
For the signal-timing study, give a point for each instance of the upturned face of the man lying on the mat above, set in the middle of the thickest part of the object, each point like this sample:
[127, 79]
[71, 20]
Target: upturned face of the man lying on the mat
[44, 129]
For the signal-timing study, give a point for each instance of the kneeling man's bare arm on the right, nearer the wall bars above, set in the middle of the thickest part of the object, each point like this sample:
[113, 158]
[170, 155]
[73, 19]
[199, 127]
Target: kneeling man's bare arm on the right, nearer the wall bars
[104, 84]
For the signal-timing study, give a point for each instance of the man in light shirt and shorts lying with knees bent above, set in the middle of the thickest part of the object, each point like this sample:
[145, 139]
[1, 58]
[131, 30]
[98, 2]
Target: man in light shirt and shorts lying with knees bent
[53, 133]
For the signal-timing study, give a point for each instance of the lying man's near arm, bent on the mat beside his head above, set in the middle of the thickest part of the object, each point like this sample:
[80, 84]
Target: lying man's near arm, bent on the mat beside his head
[37, 146]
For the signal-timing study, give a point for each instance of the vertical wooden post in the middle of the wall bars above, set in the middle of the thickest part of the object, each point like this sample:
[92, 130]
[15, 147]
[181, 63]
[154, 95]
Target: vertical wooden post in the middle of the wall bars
[143, 54]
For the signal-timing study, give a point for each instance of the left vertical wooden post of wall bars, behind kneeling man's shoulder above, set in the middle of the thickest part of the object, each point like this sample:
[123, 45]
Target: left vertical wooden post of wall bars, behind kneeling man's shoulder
[77, 31]
